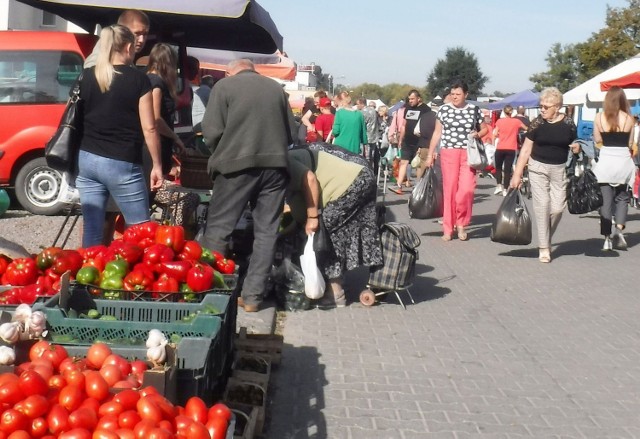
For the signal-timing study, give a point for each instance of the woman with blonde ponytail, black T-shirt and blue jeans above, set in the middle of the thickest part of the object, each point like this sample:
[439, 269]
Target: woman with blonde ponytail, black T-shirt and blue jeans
[117, 120]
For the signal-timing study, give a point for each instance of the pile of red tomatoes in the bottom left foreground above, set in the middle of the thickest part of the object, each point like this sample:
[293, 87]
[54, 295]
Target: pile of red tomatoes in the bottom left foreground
[54, 395]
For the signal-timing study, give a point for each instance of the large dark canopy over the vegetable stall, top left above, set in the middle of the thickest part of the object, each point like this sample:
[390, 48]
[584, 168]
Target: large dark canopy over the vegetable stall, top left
[240, 25]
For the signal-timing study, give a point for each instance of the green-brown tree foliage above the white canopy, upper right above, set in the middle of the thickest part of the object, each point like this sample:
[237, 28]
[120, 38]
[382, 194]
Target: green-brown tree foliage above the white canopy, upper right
[573, 64]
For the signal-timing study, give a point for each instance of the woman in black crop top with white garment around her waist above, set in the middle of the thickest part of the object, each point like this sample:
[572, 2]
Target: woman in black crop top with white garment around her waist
[615, 169]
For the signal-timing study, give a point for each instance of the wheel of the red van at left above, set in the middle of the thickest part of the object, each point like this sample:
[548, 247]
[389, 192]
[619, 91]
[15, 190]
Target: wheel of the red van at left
[37, 187]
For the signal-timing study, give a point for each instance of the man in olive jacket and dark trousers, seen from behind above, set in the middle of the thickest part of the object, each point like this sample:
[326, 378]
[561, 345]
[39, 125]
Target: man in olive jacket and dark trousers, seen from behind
[247, 128]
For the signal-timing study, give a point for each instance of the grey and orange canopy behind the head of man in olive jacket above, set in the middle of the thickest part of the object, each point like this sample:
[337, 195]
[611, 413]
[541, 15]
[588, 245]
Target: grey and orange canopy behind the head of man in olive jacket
[274, 65]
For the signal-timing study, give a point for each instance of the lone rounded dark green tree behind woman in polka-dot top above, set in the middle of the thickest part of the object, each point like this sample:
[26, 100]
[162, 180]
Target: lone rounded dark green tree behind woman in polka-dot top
[457, 64]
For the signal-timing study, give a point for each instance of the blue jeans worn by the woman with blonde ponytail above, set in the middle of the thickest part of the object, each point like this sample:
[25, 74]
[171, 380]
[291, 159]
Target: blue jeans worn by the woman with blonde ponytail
[99, 177]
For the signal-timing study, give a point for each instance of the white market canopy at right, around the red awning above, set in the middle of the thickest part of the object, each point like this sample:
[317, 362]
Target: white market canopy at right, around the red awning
[590, 94]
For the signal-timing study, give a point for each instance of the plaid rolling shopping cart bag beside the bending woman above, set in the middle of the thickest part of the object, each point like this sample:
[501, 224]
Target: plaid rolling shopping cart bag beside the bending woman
[399, 253]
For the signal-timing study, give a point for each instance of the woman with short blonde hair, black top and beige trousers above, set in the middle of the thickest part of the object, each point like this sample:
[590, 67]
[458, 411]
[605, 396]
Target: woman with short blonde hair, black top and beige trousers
[545, 150]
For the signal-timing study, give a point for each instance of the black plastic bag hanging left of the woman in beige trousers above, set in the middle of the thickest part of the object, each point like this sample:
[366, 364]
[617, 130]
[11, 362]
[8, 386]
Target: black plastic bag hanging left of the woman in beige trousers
[512, 224]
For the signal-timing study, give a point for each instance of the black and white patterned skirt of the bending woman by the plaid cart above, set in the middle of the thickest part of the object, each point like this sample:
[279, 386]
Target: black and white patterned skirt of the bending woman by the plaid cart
[352, 226]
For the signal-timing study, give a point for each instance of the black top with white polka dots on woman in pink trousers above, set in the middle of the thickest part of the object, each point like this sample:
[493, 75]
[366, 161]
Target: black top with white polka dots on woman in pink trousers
[457, 123]
